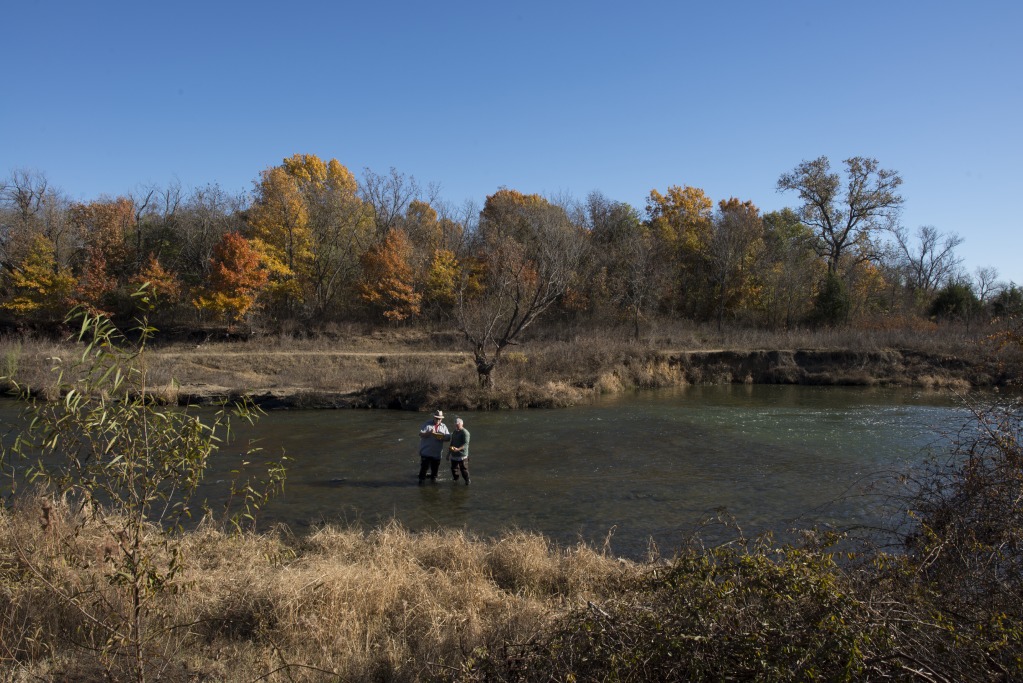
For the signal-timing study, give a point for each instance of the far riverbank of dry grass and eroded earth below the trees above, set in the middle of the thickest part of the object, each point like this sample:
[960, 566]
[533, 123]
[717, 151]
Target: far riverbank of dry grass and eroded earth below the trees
[419, 372]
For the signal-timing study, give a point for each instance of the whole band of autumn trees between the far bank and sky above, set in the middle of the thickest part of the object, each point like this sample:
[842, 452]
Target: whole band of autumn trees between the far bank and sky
[313, 246]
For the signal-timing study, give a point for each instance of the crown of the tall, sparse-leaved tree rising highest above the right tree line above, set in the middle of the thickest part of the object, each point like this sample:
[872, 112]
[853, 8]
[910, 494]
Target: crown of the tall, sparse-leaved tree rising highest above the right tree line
[846, 218]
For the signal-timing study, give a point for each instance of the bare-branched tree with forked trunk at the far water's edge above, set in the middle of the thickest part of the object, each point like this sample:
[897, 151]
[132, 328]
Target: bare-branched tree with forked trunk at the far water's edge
[523, 259]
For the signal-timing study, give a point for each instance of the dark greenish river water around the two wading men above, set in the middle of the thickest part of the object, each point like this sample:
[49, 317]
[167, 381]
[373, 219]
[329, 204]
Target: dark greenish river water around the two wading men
[639, 469]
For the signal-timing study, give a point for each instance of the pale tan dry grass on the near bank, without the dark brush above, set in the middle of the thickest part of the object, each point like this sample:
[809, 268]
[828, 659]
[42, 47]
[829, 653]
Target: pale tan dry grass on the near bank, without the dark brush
[384, 605]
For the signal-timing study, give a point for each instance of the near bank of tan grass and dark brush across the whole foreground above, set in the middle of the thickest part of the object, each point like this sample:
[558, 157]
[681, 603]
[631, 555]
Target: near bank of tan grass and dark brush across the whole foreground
[391, 606]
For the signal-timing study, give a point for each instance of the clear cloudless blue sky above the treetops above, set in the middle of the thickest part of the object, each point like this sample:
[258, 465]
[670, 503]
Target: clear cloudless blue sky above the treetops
[549, 98]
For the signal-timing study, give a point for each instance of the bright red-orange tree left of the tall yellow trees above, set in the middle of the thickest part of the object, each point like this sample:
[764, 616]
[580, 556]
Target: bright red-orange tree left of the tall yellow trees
[237, 279]
